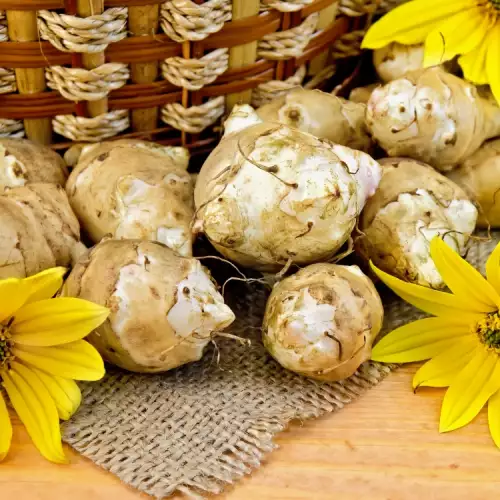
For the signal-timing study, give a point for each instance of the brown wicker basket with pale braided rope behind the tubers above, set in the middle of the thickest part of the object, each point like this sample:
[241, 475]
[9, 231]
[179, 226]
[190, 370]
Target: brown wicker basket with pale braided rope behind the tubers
[89, 70]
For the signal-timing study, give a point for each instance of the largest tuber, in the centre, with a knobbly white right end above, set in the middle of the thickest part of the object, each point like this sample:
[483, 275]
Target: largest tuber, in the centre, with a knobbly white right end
[269, 194]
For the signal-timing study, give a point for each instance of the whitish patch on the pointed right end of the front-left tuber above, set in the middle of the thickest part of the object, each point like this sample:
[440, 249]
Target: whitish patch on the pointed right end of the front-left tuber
[200, 308]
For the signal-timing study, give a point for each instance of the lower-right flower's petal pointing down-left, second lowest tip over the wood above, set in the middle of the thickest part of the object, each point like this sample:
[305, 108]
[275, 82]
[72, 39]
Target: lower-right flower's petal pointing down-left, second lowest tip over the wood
[470, 390]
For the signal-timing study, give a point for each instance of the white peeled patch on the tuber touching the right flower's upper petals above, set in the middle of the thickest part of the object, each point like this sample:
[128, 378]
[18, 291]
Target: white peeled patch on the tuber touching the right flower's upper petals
[455, 222]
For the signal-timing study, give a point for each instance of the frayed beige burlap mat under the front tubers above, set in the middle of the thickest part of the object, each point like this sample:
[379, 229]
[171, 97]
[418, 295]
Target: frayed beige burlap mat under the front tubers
[203, 426]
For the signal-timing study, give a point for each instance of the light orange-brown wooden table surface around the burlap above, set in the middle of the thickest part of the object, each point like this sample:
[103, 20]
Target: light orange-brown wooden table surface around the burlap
[383, 446]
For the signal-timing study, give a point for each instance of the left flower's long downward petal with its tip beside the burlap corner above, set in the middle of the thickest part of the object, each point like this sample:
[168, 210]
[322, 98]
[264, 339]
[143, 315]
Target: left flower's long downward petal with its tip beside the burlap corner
[36, 410]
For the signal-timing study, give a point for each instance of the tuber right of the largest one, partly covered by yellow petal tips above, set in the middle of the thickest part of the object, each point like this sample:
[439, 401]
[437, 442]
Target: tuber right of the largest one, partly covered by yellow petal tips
[413, 203]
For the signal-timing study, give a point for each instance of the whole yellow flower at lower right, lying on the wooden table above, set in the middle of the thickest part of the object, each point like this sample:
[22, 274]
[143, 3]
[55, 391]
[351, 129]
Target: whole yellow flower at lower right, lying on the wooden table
[462, 341]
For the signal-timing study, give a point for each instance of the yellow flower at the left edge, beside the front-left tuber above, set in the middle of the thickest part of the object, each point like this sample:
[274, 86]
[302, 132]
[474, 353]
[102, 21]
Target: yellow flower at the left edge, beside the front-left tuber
[41, 355]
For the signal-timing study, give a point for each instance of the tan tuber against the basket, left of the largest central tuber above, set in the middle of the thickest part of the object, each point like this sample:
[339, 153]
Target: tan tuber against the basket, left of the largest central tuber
[134, 190]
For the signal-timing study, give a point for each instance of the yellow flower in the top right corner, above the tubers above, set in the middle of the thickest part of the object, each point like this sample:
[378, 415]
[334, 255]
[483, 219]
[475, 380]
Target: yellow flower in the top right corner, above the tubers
[469, 28]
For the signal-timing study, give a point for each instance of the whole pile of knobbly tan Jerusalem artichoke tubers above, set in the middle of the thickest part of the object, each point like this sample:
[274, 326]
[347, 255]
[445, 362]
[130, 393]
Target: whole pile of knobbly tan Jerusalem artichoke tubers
[290, 189]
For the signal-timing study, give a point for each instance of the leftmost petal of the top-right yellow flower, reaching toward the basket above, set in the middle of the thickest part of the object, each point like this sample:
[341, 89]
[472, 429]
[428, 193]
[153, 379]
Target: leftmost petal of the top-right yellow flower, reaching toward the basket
[410, 23]
